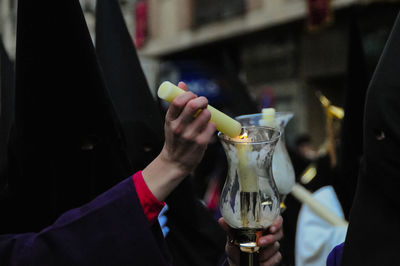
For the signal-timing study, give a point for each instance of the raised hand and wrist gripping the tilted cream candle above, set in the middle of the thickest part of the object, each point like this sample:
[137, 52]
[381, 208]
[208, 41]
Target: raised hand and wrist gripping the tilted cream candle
[187, 133]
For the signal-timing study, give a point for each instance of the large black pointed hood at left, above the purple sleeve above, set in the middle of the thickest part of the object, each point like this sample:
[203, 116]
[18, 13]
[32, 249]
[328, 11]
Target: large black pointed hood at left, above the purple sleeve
[67, 139]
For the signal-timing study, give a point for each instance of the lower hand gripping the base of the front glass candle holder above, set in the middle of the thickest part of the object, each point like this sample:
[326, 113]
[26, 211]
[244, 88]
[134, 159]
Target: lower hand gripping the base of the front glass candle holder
[269, 254]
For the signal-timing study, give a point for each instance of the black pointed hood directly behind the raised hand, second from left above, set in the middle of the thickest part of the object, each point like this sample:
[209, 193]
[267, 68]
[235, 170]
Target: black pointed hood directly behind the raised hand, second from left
[137, 109]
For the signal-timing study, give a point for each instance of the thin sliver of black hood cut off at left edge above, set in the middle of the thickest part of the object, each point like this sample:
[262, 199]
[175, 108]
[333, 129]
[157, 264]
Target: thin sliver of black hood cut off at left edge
[7, 97]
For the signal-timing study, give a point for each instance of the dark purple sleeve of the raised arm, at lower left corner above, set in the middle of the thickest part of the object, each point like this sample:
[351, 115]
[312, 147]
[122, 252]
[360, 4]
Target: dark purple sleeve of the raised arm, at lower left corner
[110, 230]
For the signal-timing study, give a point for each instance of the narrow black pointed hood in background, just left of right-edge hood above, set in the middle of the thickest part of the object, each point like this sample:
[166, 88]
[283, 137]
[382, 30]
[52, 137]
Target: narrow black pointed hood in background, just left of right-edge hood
[351, 137]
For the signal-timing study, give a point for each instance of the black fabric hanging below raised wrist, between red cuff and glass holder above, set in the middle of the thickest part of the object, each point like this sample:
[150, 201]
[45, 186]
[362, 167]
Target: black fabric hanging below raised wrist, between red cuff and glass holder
[195, 238]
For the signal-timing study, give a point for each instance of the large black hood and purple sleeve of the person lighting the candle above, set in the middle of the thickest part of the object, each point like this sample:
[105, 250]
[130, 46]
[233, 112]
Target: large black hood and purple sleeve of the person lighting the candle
[69, 149]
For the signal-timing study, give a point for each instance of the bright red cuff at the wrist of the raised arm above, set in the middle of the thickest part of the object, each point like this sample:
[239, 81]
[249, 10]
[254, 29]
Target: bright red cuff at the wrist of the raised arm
[151, 205]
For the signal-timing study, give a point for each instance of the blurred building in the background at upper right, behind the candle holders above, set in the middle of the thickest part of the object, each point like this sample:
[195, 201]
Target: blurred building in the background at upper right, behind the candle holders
[273, 49]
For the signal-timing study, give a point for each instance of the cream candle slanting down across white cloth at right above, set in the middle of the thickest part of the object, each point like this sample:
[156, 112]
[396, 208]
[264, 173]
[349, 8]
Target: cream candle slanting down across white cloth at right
[304, 196]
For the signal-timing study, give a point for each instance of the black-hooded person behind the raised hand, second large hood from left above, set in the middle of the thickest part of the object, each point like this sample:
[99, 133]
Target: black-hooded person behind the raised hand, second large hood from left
[195, 238]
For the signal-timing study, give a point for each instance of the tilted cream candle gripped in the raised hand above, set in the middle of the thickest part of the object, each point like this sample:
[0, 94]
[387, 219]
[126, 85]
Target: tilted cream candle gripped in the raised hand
[224, 123]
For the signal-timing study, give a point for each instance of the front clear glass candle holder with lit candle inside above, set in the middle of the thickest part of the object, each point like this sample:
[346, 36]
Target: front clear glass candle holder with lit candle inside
[250, 200]
